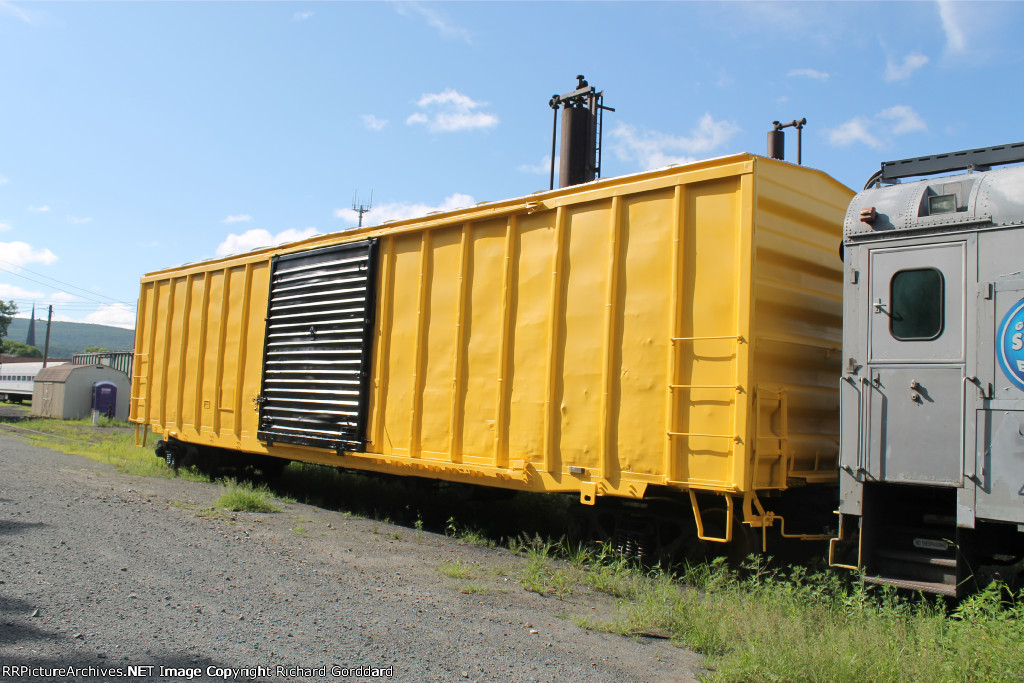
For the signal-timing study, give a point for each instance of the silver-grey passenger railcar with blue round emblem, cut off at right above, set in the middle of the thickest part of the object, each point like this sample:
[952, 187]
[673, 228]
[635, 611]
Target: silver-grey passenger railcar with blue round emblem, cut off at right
[932, 455]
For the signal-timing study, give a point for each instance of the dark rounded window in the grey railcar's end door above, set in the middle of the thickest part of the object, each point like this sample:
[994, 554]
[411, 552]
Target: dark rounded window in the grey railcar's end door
[917, 298]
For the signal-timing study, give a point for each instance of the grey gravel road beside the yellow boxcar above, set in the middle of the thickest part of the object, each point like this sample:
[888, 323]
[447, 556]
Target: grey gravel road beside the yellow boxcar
[106, 571]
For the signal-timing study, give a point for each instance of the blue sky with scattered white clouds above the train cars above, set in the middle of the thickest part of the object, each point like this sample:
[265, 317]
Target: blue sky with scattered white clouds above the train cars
[141, 136]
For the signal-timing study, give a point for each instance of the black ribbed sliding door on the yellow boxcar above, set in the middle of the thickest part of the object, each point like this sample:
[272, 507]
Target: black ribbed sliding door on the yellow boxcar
[317, 359]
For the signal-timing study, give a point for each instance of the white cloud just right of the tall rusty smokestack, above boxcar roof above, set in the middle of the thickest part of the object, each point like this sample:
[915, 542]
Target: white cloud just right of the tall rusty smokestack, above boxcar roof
[655, 150]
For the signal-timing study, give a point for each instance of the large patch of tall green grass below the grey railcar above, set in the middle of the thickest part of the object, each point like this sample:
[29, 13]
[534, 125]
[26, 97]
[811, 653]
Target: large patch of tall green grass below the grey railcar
[765, 625]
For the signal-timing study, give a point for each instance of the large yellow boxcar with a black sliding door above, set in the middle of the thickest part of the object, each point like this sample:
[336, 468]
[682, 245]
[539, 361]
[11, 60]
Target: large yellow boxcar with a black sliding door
[672, 331]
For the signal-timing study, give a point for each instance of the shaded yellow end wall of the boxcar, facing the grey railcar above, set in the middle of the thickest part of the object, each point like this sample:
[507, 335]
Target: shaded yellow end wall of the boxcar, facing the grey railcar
[798, 322]
